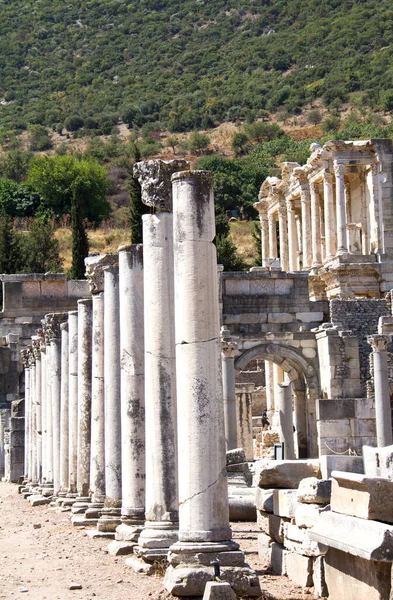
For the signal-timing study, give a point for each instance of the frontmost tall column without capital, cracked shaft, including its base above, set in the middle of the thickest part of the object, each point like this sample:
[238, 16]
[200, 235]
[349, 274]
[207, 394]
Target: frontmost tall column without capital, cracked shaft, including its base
[203, 493]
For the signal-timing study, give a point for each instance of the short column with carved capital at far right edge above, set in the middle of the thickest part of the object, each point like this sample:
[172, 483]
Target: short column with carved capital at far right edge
[379, 344]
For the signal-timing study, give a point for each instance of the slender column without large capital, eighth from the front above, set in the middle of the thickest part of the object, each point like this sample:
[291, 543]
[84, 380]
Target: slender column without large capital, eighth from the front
[64, 409]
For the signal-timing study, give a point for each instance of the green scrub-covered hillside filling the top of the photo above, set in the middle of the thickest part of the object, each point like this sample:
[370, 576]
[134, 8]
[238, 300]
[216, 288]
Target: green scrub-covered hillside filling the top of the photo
[189, 63]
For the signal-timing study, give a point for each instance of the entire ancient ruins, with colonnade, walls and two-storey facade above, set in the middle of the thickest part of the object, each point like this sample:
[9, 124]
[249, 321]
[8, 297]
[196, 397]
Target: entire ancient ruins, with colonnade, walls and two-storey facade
[163, 397]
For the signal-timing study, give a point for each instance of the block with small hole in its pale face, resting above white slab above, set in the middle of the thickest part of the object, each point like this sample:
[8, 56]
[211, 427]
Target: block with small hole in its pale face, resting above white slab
[362, 496]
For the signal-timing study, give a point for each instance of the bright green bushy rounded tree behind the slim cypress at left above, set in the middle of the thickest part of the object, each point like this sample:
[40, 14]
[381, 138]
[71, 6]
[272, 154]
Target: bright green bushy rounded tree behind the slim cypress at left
[59, 178]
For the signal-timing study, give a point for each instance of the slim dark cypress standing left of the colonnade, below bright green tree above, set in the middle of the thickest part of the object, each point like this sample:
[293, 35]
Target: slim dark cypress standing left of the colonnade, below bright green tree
[80, 242]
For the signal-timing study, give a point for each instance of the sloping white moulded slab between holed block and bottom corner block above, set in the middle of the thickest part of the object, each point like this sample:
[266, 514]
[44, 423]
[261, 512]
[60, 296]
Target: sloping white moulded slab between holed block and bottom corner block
[368, 539]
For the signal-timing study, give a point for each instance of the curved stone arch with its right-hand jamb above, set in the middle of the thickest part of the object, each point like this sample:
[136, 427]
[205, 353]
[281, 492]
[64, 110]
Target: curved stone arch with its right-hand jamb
[297, 367]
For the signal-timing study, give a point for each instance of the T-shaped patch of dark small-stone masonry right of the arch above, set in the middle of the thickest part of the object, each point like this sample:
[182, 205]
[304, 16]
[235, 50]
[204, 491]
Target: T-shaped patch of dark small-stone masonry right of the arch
[361, 317]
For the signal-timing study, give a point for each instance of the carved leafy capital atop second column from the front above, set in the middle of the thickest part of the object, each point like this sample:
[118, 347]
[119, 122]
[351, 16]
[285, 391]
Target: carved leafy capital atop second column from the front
[154, 177]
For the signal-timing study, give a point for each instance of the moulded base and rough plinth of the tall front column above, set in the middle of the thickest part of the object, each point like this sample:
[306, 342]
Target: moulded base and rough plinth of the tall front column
[190, 568]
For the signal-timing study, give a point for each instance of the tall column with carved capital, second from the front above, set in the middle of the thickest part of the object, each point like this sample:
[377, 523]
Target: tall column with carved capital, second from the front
[161, 525]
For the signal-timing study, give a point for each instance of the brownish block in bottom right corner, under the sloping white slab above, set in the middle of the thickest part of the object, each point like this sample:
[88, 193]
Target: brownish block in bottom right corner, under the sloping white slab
[353, 578]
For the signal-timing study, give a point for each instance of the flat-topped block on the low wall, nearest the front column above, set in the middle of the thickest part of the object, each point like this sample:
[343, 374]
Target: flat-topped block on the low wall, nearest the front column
[284, 473]
